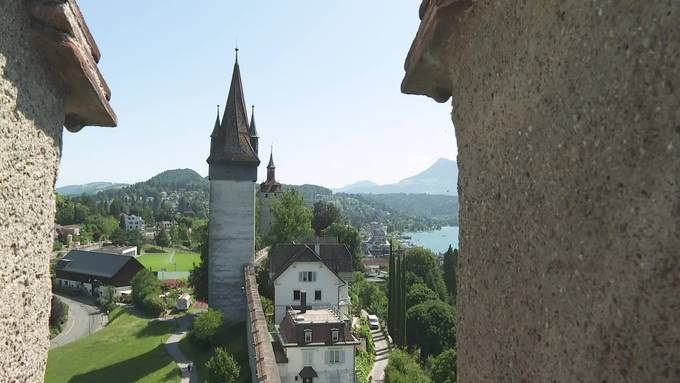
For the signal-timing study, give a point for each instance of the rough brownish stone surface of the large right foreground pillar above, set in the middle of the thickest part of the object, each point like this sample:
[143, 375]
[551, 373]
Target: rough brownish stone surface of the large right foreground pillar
[568, 128]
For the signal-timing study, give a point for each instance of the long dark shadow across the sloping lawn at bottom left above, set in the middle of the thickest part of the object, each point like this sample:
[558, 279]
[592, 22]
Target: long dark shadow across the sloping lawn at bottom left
[130, 370]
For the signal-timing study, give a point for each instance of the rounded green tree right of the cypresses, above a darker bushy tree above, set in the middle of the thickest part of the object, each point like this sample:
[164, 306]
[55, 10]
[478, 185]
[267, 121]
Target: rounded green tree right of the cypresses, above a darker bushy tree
[422, 266]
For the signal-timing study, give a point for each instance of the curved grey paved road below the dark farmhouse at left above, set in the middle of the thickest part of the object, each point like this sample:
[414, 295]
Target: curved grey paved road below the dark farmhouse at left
[84, 318]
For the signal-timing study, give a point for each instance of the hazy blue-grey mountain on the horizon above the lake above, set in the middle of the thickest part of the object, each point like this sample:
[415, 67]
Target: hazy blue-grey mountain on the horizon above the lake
[440, 178]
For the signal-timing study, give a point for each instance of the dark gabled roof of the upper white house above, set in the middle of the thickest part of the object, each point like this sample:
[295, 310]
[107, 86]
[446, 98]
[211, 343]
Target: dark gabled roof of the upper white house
[336, 256]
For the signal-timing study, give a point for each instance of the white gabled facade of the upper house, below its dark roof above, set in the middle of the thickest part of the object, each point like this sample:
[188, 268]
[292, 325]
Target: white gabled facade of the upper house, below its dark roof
[332, 288]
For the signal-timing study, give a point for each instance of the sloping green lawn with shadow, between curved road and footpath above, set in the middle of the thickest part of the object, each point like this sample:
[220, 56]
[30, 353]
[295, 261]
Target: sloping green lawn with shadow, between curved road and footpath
[128, 349]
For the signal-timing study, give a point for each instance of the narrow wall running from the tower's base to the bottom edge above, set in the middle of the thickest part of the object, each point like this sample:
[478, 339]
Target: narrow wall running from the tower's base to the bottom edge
[262, 360]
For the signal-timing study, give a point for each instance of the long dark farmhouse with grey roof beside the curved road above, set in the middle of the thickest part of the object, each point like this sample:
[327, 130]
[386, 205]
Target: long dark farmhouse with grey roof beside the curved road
[89, 270]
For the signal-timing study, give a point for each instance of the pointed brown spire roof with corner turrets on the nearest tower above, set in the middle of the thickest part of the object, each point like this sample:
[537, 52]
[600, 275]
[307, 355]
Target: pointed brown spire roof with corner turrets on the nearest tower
[232, 144]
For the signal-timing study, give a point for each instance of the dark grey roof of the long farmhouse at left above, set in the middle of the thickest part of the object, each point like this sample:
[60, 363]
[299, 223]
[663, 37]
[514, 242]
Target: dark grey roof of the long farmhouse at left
[93, 263]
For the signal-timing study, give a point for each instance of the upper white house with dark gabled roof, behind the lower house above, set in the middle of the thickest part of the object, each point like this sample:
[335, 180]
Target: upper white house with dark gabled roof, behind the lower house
[322, 270]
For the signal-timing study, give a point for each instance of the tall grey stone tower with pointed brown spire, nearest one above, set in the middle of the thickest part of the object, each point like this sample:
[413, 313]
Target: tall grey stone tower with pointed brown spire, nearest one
[232, 172]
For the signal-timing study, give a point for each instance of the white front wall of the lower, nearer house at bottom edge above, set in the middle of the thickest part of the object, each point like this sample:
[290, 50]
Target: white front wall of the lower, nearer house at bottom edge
[317, 357]
